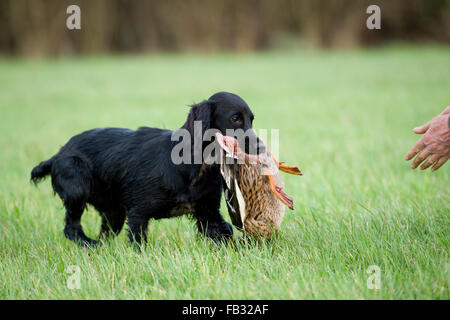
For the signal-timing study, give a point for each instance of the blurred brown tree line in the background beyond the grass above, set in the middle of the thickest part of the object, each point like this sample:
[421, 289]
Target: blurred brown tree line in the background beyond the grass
[38, 27]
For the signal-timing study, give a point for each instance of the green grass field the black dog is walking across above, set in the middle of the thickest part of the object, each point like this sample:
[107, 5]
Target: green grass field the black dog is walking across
[345, 119]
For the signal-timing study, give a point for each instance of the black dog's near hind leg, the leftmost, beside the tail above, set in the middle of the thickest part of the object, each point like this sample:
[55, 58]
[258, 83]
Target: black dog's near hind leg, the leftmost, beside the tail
[71, 180]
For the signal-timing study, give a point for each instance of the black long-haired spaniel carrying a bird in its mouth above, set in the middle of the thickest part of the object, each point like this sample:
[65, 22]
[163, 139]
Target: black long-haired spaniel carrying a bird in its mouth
[129, 174]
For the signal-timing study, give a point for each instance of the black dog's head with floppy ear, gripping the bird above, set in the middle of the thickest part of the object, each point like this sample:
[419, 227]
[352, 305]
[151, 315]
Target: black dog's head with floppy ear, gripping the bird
[225, 111]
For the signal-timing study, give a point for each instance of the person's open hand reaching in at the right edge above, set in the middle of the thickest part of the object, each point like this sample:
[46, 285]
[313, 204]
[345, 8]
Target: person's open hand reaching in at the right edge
[434, 147]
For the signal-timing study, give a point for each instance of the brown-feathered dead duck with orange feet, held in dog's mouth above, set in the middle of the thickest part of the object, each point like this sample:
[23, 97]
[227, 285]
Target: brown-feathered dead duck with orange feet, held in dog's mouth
[253, 188]
